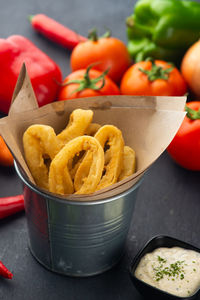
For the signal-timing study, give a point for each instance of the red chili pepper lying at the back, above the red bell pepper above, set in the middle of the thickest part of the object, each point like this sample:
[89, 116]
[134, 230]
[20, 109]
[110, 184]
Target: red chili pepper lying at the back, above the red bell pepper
[55, 31]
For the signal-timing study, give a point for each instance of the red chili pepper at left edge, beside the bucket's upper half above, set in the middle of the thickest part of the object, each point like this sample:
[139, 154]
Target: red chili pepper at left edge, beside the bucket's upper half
[11, 205]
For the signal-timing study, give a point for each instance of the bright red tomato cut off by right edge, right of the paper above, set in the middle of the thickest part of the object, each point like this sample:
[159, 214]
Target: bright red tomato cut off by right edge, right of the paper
[185, 147]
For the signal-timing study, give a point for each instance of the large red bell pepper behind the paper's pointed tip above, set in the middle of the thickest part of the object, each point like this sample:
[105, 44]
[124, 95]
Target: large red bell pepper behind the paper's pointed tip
[43, 71]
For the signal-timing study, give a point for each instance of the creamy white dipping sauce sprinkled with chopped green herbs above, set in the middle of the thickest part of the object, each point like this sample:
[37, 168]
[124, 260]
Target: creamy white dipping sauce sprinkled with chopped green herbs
[174, 270]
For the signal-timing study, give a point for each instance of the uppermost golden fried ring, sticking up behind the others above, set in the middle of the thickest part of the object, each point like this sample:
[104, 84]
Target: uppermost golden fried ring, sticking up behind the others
[79, 121]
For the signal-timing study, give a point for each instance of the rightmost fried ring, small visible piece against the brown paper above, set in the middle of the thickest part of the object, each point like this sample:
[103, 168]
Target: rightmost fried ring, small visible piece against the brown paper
[128, 163]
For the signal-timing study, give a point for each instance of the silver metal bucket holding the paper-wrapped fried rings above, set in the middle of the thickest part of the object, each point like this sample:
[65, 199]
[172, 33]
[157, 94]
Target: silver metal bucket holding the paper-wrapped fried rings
[77, 238]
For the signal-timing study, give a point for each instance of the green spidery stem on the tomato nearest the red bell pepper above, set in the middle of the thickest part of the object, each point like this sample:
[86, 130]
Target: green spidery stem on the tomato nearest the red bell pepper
[87, 82]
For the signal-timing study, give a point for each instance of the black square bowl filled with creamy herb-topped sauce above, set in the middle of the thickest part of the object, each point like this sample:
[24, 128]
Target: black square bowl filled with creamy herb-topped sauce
[167, 268]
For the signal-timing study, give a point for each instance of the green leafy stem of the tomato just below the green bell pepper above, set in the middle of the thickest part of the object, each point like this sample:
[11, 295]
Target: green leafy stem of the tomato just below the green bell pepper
[156, 72]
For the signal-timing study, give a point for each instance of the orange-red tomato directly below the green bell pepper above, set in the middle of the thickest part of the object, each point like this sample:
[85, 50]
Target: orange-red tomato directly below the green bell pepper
[147, 78]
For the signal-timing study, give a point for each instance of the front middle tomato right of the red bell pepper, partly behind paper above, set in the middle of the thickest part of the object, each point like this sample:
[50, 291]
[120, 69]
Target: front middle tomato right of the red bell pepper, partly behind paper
[89, 90]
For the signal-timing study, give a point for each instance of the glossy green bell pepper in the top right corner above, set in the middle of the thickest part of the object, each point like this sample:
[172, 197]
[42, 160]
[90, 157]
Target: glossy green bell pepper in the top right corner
[163, 29]
